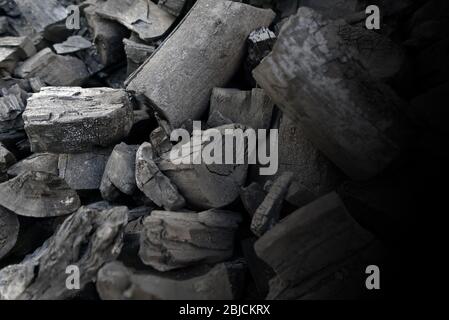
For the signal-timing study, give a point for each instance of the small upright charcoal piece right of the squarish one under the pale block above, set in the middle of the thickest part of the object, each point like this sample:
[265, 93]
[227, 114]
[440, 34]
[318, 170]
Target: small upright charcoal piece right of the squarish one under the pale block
[119, 173]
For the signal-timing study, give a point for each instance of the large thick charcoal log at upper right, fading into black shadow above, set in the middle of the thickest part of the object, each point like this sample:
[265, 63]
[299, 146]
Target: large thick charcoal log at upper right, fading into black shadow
[317, 79]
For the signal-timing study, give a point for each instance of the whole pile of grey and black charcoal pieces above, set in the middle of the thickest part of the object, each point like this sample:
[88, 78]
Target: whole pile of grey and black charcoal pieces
[93, 205]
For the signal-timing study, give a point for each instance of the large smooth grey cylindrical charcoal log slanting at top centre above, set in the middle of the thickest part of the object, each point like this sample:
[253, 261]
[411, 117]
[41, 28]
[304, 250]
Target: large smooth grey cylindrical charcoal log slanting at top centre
[218, 30]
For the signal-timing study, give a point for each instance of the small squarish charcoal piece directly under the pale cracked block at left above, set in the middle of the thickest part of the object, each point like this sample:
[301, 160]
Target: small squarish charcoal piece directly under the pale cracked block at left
[83, 171]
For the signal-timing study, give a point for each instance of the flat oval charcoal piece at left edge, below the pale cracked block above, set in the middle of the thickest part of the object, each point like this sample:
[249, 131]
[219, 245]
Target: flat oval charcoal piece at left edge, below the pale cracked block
[38, 194]
